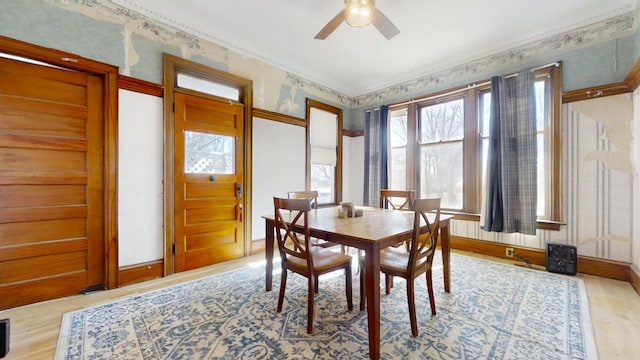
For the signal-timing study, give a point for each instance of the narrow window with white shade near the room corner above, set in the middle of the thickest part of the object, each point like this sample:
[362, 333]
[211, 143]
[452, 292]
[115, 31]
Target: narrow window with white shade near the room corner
[324, 151]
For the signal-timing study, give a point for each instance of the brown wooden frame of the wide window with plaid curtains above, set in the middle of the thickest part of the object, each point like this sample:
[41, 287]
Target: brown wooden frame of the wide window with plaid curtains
[472, 143]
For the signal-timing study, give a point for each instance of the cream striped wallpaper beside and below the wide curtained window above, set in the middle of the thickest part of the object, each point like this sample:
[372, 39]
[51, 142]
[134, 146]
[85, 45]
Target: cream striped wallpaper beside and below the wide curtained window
[597, 183]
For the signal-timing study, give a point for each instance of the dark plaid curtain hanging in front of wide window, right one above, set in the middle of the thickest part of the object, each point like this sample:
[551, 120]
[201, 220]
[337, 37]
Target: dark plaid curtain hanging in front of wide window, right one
[511, 188]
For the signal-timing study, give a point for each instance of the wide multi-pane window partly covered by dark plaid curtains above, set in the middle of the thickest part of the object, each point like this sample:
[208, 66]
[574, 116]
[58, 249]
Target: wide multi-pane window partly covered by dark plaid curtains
[451, 142]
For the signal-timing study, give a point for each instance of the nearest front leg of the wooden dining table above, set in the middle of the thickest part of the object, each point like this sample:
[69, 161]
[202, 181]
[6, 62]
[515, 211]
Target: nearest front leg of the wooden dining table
[372, 273]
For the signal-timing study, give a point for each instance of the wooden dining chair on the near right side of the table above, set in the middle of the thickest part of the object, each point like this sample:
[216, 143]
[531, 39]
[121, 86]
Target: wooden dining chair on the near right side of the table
[413, 260]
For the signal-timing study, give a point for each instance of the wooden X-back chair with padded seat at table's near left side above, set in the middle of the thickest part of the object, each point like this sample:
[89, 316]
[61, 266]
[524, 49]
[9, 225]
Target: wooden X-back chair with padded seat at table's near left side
[296, 256]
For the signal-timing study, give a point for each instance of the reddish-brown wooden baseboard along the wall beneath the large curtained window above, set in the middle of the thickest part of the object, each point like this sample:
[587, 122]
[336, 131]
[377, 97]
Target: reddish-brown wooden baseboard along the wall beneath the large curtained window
[586, 265]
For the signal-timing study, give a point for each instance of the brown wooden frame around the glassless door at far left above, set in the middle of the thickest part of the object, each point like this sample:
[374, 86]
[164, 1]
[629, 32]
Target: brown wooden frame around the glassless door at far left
[109, 75]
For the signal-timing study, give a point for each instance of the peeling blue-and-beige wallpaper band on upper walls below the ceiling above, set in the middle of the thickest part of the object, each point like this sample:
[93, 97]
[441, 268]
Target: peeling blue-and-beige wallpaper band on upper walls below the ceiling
[596, 54]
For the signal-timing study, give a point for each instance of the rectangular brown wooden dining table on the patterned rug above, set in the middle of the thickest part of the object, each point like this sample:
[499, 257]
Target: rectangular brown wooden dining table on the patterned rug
[374, 230]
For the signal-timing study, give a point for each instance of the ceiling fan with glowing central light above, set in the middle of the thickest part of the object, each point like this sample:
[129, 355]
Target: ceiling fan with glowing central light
[359, 13]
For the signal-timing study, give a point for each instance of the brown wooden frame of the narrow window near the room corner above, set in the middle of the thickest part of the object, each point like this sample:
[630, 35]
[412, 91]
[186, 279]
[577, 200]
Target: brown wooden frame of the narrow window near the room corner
[310, 103]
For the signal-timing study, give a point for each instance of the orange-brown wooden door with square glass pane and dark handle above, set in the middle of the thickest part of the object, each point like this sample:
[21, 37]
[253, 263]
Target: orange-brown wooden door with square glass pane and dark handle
[209, 160]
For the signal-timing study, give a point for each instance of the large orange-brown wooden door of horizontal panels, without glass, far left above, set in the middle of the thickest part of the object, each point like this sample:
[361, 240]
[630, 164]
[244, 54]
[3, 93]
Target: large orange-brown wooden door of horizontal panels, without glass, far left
[51, 182]
